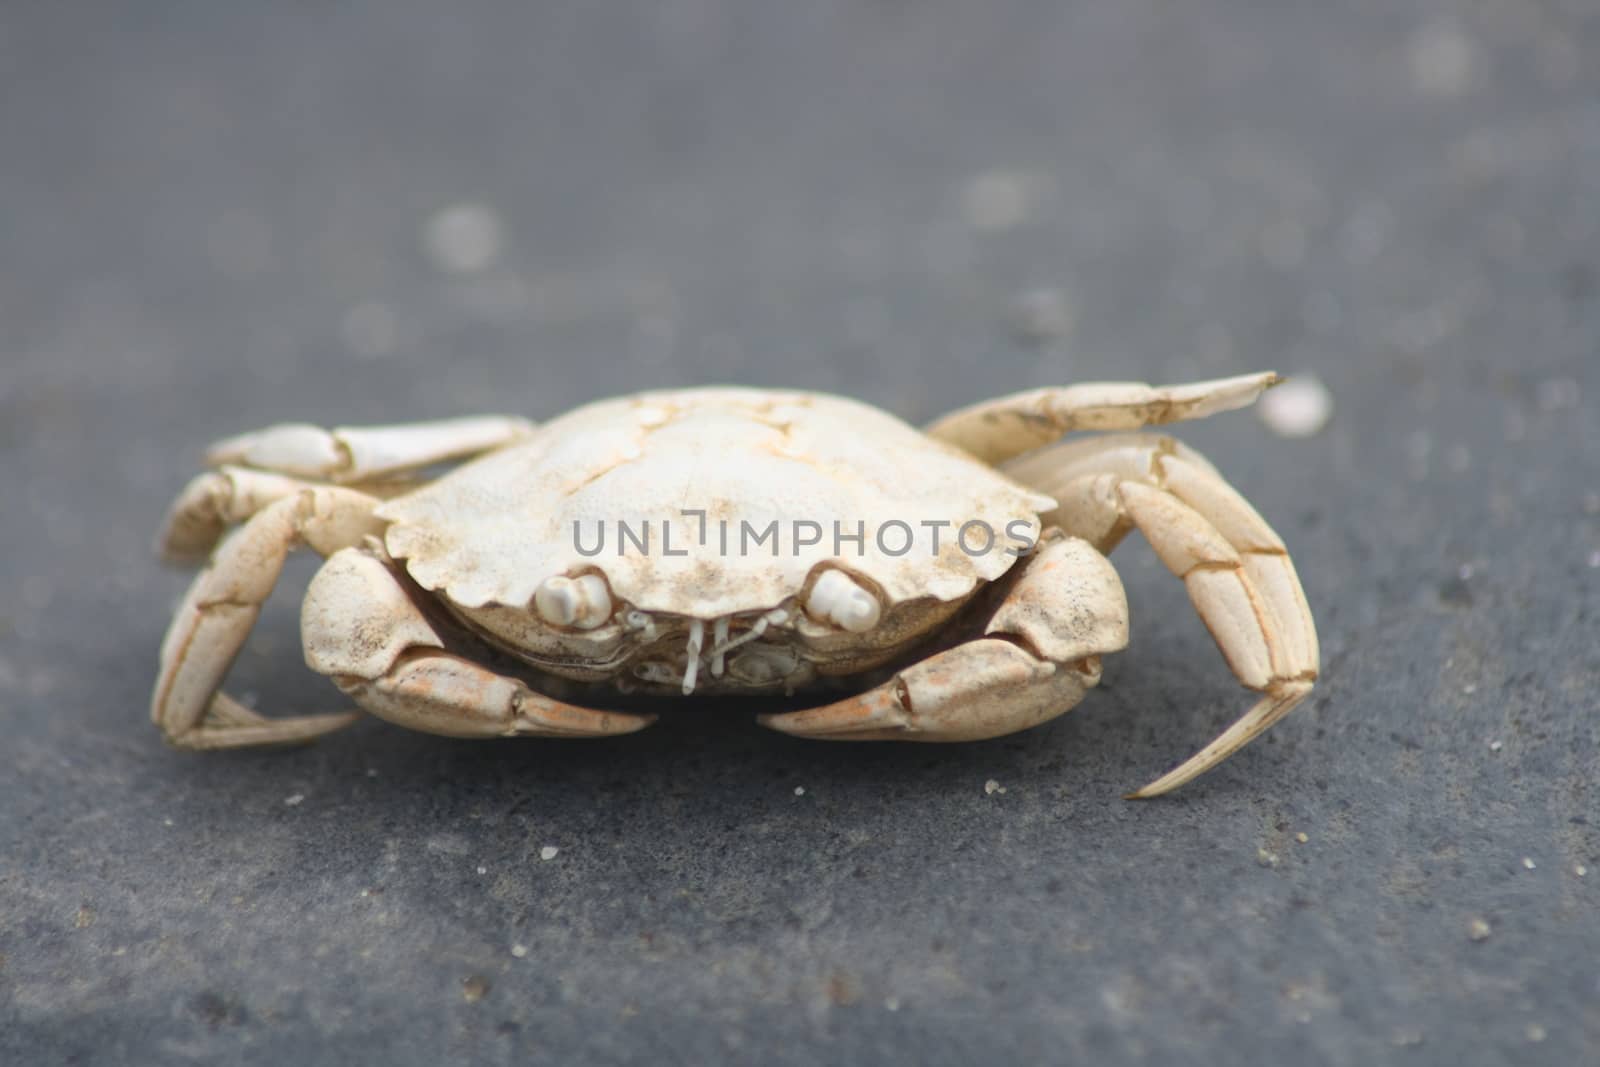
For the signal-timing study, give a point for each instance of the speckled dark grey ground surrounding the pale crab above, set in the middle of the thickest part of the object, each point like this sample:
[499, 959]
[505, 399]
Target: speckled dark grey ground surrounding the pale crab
[217, 220]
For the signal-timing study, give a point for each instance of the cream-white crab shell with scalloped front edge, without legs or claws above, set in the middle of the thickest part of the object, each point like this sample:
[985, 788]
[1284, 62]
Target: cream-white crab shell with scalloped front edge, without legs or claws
[698, 506]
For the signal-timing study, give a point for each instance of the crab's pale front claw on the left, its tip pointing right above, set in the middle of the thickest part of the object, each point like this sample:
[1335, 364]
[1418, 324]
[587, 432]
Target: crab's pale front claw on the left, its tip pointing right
[398, 668]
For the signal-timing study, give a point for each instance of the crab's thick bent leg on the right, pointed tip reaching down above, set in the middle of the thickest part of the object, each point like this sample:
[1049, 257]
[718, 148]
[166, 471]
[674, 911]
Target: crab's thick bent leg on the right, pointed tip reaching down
[1234, 565]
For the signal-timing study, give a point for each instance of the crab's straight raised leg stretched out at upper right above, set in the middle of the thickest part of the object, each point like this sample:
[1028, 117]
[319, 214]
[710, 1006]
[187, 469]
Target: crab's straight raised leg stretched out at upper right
[999, 430]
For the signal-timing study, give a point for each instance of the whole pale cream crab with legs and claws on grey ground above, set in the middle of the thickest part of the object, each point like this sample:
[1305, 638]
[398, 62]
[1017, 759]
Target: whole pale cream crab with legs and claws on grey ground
[494, 578]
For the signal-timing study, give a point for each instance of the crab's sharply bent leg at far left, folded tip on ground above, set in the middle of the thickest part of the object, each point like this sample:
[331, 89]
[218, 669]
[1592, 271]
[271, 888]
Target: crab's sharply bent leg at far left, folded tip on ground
[223, 605]
